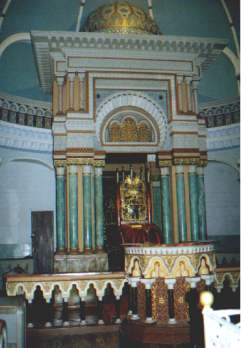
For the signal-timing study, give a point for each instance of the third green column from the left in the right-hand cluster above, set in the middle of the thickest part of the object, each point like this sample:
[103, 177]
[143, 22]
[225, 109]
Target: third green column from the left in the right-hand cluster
[193, 197]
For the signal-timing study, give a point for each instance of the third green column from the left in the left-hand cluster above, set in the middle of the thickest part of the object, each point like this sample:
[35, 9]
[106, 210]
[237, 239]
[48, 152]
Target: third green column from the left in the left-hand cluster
[87, 202]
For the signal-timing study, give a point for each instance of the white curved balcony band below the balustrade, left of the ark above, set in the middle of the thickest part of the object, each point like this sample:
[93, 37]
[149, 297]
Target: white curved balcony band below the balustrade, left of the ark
[25, 138]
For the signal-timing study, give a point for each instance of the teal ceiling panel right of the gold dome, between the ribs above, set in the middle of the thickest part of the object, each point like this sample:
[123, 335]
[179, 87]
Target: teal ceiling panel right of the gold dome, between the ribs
[192, 18]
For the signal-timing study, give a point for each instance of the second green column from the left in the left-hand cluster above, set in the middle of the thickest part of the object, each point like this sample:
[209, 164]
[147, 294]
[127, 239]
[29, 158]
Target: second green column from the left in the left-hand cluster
[73, 208]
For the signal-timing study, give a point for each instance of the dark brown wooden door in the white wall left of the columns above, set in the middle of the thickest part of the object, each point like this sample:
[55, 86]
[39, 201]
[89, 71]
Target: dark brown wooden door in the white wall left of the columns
[42, 241]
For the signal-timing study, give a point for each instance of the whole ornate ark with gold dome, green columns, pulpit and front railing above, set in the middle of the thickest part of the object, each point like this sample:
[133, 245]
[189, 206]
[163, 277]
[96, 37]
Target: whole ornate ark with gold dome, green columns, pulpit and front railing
[123, 90]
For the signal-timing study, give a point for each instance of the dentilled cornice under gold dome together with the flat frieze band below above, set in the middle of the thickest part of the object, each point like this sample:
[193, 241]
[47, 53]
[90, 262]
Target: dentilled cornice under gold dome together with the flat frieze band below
[49, 45]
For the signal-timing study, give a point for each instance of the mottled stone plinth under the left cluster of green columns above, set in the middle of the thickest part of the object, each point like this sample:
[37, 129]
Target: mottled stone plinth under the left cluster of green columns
[81, 263]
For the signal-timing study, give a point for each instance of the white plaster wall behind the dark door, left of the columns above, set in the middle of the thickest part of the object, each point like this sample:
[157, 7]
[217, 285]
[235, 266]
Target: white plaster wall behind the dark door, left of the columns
[27, 183]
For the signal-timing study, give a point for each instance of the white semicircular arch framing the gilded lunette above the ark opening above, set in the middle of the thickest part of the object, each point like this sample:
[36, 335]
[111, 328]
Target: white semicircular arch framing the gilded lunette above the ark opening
[132, 102]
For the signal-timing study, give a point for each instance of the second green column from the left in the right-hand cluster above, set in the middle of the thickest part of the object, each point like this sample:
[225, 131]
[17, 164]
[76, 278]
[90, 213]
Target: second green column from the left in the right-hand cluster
[182, 225]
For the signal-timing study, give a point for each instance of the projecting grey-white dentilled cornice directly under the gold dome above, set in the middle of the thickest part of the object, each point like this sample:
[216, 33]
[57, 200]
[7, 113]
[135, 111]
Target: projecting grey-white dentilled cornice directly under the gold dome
[202, 51]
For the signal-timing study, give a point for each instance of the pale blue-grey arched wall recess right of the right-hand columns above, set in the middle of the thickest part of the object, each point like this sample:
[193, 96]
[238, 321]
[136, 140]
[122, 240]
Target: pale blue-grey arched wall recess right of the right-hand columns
[222, 199]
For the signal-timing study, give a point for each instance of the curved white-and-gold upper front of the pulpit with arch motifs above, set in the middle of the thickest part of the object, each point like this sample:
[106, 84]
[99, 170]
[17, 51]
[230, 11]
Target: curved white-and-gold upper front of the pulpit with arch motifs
[171, 262]
